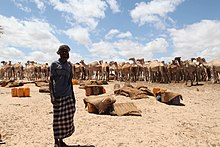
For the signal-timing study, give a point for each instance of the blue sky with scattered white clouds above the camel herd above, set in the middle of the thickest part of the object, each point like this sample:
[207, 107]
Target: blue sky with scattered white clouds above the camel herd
[109, 29]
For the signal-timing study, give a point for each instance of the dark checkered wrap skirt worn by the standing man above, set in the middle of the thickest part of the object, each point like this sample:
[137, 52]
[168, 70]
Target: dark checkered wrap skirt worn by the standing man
[63, 114]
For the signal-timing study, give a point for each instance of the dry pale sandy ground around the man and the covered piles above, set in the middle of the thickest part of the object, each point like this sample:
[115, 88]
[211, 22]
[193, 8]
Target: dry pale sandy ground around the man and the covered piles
[27, 122]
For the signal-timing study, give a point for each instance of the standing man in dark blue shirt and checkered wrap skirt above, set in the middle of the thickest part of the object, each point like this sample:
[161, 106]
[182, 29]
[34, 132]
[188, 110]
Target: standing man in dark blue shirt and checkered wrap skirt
[62, 96]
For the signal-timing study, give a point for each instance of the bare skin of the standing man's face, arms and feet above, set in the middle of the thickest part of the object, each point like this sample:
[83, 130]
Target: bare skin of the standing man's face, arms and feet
[64, 56]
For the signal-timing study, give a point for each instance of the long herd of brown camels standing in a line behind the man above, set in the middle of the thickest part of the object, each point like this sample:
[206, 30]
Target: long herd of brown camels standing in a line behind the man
[193, 70]
